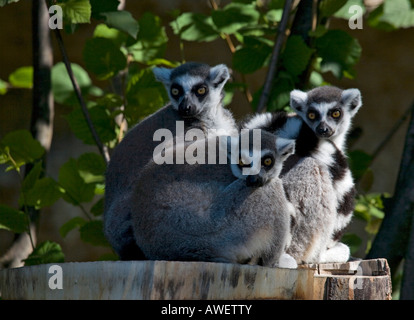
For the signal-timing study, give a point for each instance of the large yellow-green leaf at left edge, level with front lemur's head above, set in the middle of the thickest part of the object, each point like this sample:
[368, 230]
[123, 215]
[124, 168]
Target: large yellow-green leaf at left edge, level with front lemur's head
[21, 147]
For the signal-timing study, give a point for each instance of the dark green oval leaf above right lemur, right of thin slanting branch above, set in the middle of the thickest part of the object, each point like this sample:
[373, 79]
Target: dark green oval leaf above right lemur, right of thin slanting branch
[296, 55]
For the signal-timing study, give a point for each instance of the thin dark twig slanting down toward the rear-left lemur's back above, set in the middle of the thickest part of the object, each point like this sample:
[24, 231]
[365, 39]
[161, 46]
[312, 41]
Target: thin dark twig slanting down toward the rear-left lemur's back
[102, 148]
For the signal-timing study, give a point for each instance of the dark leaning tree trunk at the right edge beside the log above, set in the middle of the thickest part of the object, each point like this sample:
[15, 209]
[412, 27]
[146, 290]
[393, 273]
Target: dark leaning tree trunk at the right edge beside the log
[392, 240]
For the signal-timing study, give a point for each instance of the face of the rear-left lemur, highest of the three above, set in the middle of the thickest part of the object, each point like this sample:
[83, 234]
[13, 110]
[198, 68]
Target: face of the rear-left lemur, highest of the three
[193, 88]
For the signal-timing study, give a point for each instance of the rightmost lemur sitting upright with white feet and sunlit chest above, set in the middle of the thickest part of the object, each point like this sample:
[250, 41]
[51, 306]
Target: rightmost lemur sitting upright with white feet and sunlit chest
[320, 127]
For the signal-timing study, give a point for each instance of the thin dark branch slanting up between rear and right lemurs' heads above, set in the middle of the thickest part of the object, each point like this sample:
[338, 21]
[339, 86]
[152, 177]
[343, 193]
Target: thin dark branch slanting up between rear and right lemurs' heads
[280, 37]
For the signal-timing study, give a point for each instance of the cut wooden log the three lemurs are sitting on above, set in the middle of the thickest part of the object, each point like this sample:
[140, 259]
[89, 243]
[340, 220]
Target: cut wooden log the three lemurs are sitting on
[155, 280]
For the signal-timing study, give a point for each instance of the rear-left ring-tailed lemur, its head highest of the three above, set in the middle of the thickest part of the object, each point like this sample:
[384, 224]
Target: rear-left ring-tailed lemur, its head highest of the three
[196, 93]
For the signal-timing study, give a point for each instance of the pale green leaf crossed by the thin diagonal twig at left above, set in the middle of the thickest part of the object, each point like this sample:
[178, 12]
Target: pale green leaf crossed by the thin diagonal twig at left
[62, 86]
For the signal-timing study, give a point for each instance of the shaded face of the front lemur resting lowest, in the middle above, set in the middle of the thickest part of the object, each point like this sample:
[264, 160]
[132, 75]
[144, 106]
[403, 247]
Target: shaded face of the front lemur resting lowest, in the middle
[260, 158]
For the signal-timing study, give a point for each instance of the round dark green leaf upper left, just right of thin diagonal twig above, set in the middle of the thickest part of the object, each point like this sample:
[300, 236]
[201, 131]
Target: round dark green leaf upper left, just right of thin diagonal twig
[103, 58]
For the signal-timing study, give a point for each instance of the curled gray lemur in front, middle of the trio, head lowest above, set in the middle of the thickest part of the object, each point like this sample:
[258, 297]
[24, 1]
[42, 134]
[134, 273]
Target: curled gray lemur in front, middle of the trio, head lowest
[217, 212]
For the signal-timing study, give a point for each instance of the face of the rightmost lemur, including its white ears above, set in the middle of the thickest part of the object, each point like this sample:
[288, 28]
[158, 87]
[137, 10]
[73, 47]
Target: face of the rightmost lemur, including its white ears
[327, 110]
